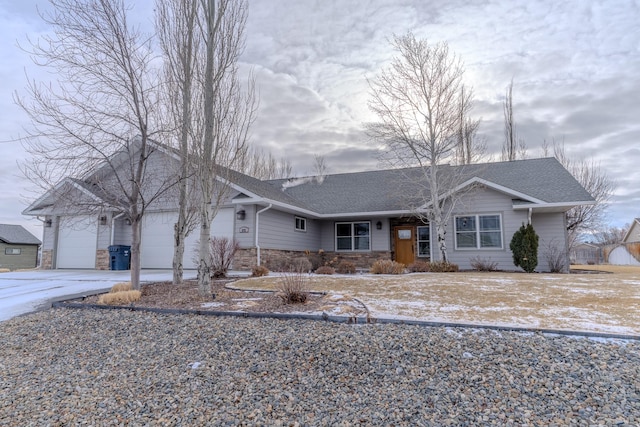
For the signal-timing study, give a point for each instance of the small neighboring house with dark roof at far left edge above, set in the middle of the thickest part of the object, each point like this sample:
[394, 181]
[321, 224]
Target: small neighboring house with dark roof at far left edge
[18, 247]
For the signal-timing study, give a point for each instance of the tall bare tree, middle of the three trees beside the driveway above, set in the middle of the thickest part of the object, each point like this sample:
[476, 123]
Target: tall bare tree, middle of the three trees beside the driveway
[177, 24]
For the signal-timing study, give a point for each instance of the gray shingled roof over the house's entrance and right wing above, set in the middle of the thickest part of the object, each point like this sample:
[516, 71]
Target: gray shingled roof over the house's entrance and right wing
[543, 181]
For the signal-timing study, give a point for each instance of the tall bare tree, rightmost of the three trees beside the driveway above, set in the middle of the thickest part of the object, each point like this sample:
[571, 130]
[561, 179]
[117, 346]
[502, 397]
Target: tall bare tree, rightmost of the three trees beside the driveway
[228, 111]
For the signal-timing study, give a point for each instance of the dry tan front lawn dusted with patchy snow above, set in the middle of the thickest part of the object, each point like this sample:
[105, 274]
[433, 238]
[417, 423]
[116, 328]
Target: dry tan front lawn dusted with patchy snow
[581, 302]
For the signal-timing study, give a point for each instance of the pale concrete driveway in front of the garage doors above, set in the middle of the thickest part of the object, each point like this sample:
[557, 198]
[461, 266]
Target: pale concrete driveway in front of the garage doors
[26, 291]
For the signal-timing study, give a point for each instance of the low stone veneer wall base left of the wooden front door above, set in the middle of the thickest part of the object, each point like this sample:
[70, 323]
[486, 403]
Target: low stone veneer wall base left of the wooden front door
[245, 259]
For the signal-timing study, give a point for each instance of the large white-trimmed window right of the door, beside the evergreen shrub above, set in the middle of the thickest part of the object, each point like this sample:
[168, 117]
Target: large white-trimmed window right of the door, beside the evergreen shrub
[478, 232]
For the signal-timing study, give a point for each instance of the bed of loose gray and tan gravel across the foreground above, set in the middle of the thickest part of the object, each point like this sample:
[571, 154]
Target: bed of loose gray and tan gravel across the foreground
[97, 367]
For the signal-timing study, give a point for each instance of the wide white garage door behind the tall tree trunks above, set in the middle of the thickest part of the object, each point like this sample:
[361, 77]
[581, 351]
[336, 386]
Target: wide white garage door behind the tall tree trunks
[156, 249]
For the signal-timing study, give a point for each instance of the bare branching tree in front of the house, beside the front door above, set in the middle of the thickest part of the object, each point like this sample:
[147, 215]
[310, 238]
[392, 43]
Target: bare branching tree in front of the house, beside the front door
[419, 102]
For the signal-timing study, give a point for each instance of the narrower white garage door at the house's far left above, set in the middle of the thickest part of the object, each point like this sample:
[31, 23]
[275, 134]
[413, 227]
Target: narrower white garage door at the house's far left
[77, 240]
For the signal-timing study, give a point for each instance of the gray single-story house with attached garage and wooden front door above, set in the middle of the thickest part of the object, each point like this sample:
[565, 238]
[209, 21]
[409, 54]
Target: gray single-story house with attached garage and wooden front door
[360, 217]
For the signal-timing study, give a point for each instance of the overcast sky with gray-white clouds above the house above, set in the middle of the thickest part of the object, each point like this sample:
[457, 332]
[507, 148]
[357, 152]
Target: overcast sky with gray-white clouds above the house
[575, 66]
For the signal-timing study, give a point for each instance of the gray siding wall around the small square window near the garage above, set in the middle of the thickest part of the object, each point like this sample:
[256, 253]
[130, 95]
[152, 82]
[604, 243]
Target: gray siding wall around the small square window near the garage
[277, 231]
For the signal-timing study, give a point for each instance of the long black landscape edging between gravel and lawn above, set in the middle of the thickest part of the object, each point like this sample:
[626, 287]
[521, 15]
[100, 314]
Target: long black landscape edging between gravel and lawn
[346, 319]
